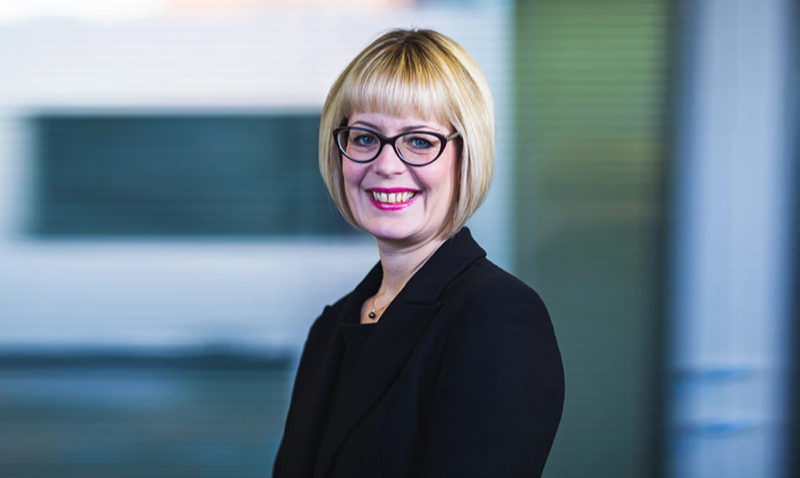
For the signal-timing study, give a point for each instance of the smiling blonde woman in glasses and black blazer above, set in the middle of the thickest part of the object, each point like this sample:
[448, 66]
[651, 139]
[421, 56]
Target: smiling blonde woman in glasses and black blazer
[438, 363]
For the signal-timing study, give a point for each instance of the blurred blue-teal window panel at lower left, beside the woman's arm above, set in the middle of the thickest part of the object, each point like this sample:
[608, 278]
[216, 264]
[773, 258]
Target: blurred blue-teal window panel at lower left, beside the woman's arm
[204, 413]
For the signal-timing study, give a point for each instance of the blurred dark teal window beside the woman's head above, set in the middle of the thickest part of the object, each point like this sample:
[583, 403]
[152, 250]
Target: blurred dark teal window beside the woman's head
[180, 175]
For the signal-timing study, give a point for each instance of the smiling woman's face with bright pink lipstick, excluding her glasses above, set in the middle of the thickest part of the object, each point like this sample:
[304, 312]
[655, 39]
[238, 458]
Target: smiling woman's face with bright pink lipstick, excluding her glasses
[422, 194]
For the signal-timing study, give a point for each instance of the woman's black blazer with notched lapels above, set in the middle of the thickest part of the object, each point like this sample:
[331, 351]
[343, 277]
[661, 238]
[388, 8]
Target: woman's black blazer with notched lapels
[461, 377]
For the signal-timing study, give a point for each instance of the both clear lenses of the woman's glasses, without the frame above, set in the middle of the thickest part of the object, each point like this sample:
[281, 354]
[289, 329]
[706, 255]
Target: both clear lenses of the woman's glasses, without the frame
[414, 148]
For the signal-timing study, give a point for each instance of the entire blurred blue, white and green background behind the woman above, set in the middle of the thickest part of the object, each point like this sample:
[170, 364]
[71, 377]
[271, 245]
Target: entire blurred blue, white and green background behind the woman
[166, 240]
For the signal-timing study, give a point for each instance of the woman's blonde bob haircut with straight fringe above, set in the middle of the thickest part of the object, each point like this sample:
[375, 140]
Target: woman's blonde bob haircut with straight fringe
[421, 73]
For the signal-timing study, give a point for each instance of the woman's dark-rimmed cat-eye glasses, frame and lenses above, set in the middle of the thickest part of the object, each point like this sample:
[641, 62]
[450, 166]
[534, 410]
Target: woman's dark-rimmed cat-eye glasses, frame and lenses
[415, 148]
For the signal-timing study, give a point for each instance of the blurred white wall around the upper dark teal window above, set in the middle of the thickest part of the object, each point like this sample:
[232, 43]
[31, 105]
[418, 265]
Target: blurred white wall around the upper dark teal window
[153, 292]
